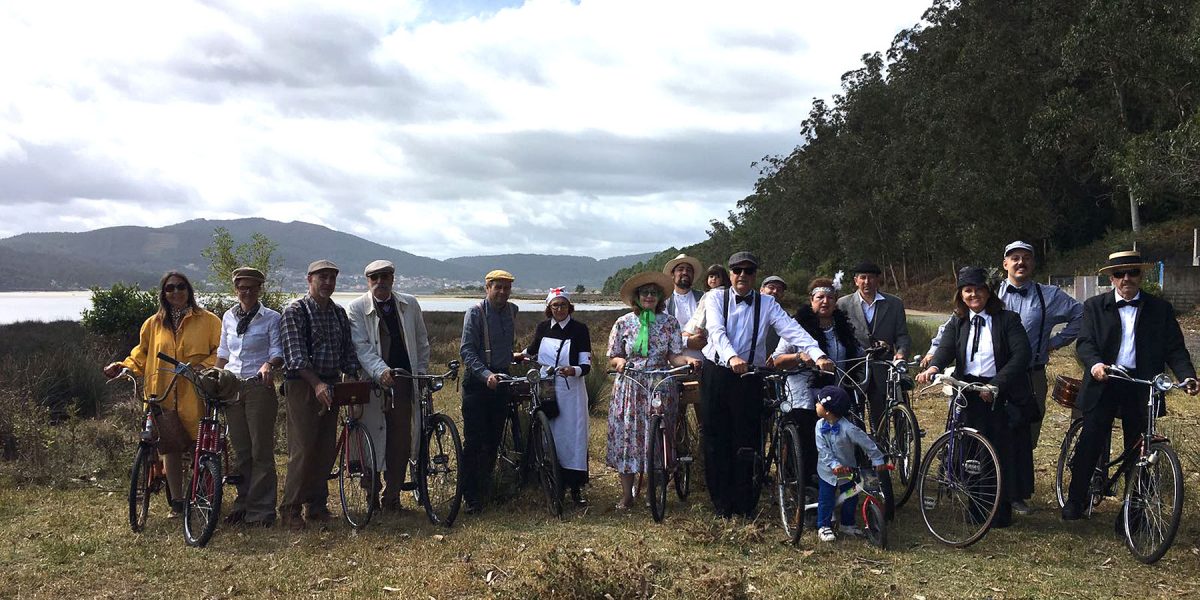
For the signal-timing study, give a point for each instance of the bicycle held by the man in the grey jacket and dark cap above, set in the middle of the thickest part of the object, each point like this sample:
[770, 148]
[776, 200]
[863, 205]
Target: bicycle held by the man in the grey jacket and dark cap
[898, 434]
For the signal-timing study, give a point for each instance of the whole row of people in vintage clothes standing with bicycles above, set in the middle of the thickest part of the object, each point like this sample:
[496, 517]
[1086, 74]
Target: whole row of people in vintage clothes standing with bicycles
[1000, 338]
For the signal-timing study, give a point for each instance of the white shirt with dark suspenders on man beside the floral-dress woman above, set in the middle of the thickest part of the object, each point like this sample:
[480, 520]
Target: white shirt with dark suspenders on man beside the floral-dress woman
[733, 339]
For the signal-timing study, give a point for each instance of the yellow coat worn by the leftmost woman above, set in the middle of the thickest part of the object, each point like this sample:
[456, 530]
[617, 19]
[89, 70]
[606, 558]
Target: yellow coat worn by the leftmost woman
[197, 345]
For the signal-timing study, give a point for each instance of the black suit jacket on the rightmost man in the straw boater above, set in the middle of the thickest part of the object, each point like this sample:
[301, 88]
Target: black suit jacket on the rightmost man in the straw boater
[1157, 340]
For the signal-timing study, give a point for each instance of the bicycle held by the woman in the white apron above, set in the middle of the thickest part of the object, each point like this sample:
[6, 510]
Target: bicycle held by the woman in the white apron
[531, 448]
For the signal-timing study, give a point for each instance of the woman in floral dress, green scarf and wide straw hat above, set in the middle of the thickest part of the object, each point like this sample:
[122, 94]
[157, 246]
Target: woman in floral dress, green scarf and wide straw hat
[645, 339]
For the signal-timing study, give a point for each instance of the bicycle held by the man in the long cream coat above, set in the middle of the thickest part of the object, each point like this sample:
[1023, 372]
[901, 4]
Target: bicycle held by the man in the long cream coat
[437, 470]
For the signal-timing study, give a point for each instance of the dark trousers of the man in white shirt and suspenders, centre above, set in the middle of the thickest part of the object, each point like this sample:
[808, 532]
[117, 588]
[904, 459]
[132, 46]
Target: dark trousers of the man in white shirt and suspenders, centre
[733, 407]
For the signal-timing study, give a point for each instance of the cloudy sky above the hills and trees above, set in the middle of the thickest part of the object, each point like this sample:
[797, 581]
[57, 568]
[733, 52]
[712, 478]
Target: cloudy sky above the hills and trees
[454, 128]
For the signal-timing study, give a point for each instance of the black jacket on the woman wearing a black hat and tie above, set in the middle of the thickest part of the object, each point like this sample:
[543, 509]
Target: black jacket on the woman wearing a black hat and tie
[1011, 346]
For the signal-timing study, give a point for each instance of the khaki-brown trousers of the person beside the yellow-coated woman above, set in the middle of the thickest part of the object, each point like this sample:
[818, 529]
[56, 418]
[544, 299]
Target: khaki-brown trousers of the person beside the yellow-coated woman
[253, 435]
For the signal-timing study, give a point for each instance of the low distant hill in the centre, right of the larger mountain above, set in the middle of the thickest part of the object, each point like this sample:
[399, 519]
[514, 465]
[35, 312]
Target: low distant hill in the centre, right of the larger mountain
[544, 272]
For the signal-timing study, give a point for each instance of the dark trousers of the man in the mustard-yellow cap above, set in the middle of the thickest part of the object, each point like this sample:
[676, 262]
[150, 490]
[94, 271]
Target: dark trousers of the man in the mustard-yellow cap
[483, 422]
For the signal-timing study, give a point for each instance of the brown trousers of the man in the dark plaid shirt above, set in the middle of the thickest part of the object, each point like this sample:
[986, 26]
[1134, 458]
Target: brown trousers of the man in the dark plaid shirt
[313, 441]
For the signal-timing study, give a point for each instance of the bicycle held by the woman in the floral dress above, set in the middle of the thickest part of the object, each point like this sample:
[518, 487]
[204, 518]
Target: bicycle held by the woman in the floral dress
[664, 461]
